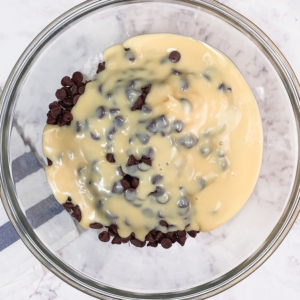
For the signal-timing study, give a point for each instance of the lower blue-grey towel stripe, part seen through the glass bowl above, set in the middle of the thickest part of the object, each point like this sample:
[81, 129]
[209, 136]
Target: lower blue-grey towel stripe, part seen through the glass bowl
[43, 211]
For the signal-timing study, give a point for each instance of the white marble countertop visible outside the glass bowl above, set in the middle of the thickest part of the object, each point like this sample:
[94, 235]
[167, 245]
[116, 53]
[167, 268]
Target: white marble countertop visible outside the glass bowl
[279, 277]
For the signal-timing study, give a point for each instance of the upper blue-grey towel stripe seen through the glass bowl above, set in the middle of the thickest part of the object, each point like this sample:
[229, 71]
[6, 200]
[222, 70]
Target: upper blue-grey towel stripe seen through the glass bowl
[24, 165]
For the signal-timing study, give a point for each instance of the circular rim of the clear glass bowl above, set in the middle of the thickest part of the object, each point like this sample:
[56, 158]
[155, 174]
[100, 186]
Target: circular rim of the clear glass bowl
[62, 270]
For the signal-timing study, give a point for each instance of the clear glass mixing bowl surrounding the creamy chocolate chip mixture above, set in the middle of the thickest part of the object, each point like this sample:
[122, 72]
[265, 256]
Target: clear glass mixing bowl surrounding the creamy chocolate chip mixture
[213, 261]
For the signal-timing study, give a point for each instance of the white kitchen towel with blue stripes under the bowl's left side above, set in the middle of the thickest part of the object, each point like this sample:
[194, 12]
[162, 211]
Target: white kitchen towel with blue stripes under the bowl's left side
[46, 216]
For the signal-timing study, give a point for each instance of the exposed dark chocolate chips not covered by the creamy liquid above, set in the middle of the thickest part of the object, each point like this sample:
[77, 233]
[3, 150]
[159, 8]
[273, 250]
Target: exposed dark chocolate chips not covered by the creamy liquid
[60, 114]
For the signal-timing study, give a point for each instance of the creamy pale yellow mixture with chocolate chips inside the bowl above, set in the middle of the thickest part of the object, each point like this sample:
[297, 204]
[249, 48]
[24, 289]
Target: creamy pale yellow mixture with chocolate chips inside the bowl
[166, 140]
